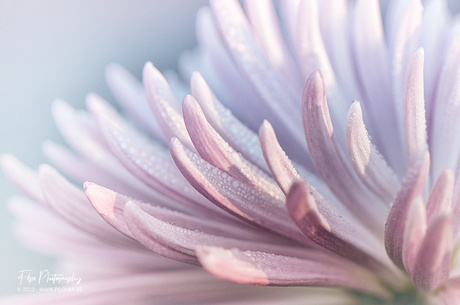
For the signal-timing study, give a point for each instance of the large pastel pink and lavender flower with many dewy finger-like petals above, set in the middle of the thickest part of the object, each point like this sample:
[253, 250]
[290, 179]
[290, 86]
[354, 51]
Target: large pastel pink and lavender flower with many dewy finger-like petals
[360, 198]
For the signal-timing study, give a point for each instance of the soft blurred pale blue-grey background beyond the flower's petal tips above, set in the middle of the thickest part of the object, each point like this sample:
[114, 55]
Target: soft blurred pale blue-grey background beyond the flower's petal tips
[59, 49]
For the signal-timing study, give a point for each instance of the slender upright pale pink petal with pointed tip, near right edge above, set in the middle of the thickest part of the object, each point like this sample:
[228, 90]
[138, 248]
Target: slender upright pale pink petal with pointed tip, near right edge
[414, 109]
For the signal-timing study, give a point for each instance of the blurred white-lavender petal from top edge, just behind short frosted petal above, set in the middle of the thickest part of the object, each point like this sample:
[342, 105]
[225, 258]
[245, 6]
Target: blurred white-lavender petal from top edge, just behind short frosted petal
[372, 66]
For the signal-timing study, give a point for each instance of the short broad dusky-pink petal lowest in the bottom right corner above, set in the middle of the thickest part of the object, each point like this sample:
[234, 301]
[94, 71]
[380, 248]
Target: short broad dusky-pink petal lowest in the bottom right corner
[432, 265]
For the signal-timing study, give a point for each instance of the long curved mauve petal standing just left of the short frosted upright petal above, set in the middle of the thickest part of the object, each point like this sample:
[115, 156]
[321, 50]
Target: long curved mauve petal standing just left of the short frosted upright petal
[330, 161]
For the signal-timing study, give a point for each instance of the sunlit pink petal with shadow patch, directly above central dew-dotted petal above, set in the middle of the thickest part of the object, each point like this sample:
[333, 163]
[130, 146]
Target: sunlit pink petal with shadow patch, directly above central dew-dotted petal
[220, 154]
